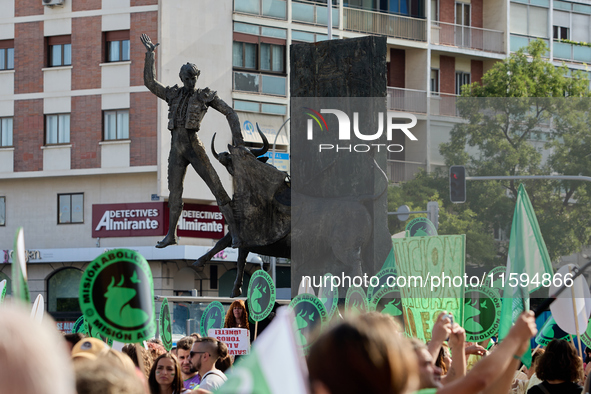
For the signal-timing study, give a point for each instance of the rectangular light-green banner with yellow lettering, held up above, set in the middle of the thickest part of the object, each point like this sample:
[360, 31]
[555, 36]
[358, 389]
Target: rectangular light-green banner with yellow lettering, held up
[421, 263]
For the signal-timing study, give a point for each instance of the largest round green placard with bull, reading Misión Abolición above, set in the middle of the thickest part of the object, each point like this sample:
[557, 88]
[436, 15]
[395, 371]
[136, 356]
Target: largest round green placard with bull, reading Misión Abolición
[117, 296]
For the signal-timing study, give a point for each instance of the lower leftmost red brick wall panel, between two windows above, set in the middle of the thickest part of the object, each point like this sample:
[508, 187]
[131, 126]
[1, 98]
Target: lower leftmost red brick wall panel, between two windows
[28, 135]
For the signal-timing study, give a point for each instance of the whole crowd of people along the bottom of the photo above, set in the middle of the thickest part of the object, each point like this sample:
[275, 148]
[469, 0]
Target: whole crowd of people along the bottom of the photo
[365, 354]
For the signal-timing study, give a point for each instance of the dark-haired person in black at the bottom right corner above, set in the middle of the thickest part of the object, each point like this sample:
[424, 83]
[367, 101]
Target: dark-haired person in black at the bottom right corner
[559, 368]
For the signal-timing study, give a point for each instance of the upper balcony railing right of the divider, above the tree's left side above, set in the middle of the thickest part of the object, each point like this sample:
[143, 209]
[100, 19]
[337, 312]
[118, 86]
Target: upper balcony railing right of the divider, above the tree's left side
[467, 37]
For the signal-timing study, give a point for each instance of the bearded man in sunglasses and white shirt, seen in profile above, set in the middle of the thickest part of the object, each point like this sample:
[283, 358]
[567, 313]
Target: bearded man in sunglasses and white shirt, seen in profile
[204, 355]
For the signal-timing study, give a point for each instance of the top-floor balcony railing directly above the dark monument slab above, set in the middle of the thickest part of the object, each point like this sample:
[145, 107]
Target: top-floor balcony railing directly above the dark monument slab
[390, 25]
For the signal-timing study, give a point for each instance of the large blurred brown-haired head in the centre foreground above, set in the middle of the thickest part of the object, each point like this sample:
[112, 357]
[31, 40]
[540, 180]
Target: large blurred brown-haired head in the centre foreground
[363, 354]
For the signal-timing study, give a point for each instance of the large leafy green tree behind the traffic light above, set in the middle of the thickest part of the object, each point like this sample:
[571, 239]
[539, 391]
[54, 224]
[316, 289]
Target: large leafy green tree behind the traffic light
[527, 117]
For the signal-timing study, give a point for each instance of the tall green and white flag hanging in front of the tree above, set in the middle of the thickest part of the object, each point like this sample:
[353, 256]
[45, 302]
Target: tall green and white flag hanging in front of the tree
[528, 255]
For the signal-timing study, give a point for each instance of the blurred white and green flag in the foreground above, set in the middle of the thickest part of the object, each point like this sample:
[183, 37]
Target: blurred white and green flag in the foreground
[274, 364]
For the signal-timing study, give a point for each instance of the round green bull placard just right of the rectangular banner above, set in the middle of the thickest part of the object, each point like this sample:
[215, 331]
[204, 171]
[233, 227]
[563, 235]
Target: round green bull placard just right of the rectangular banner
[482, 313]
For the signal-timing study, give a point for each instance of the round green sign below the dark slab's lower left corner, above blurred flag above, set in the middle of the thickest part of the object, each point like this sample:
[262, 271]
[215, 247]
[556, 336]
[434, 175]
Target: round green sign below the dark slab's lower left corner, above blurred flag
[310, 319]
